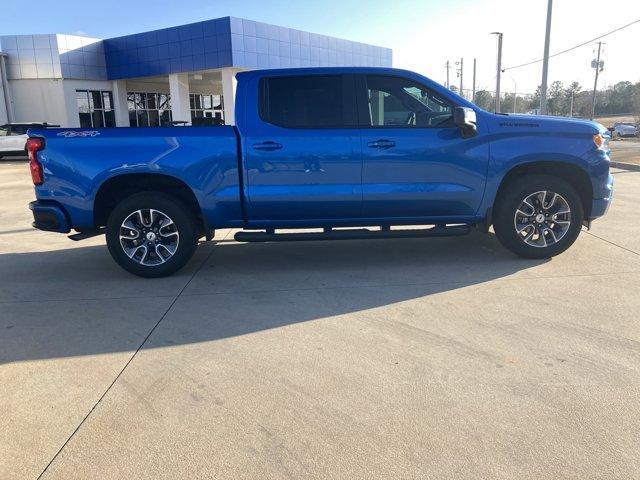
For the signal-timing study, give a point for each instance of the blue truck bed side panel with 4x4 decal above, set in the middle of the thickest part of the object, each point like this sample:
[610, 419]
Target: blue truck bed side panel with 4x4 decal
[78, 161]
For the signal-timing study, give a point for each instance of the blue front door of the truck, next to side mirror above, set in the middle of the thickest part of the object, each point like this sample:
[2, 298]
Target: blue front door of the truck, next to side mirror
[415, 161]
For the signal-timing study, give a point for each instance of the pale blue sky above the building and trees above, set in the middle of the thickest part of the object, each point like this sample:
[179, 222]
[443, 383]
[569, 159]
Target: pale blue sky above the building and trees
[423, 34]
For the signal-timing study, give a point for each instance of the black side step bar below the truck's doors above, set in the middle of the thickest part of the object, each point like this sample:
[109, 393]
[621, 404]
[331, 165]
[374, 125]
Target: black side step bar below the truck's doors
[352, 234]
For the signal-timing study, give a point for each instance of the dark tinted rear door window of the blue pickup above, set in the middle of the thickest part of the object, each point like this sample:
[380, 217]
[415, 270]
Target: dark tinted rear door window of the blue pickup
[314, 101]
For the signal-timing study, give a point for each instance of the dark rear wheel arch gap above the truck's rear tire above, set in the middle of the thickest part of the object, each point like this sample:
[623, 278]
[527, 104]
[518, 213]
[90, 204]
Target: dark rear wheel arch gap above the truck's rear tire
[116, 188]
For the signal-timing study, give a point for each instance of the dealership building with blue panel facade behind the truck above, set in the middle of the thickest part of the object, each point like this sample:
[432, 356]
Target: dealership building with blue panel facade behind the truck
[178, 74]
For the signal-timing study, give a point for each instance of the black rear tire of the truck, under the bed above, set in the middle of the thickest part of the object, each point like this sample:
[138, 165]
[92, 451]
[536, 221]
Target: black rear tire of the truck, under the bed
[165, 207]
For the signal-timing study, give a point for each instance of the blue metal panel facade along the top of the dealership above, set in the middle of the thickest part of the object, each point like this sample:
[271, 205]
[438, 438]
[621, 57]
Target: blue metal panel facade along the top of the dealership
[232, 42]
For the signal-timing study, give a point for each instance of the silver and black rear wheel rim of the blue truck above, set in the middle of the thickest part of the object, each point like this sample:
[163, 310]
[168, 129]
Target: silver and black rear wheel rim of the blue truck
[149, 237]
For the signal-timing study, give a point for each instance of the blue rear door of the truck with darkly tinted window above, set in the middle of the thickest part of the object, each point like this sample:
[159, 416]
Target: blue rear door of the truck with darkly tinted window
[302, 151]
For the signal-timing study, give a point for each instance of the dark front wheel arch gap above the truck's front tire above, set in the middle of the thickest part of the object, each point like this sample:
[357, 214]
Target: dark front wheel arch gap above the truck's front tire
[573, 174]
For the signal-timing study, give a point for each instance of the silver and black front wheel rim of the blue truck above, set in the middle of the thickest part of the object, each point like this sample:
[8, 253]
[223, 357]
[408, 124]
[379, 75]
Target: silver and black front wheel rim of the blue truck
[542, 219]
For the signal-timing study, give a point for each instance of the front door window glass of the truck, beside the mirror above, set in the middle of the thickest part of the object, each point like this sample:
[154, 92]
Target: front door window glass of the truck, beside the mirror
[399, 102]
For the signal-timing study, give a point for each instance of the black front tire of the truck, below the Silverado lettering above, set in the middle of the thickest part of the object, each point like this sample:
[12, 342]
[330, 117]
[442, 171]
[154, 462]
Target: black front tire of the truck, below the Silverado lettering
[511, 200]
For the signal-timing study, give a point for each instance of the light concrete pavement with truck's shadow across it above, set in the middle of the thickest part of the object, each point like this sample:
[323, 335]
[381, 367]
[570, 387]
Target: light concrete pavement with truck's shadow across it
[437, 358]
